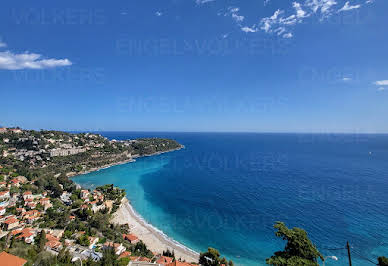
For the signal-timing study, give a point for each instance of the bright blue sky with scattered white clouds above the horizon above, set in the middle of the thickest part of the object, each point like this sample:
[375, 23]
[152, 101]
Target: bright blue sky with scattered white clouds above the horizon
[195, 65]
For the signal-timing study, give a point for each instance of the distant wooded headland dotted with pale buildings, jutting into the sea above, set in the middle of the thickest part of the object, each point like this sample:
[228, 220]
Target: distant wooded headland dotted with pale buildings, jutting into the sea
[51, 153]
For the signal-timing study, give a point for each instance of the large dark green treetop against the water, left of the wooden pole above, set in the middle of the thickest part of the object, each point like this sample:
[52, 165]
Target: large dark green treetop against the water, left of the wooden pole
[299, 249]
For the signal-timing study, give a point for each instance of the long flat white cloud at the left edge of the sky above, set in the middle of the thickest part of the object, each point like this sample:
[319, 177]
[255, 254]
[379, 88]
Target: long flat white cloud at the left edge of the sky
[11, 61]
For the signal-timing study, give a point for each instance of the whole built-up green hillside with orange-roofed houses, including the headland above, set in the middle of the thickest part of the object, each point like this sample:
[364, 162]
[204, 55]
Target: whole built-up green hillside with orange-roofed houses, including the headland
[46, 219]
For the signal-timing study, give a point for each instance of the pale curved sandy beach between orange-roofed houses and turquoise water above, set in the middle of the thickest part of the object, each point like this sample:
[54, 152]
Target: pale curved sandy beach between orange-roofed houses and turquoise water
[155, 241]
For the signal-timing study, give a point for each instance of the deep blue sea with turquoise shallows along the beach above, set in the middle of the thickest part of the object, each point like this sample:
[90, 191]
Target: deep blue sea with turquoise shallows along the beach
[226, 190]
